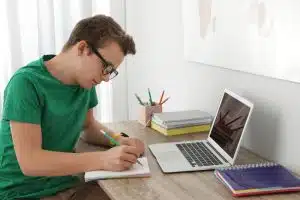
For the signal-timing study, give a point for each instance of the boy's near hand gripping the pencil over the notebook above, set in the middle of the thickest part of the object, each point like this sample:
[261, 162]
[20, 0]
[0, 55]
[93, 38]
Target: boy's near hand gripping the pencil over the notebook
[118, 158]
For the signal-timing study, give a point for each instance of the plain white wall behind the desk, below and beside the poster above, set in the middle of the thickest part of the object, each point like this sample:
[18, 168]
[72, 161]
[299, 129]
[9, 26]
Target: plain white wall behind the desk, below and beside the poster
[159, 64]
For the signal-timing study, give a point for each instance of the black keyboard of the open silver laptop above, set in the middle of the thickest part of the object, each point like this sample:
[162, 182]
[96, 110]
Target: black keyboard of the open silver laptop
[197, 154]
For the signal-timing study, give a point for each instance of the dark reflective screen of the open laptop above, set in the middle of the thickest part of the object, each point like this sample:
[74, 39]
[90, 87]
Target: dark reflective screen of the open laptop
[229, 123]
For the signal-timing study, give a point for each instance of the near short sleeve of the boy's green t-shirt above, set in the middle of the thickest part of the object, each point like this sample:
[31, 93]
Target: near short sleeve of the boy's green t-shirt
[21, 102]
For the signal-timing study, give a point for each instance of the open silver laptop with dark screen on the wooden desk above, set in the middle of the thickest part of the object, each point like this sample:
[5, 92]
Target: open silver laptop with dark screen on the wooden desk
[221, 147]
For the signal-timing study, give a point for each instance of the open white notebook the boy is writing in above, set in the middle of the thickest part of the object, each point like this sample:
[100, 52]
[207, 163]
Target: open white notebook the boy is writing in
[135, 171]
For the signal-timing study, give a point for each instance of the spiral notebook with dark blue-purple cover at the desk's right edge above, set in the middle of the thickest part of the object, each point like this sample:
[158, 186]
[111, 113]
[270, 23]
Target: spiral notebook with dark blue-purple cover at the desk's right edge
[254, 179]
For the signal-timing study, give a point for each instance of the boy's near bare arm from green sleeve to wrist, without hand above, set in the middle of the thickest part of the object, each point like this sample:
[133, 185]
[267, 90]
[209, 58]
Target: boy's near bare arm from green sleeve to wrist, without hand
[34, 161]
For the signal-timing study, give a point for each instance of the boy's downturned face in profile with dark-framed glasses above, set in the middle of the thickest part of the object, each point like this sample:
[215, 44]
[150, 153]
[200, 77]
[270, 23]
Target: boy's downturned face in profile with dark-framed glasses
[92, 68]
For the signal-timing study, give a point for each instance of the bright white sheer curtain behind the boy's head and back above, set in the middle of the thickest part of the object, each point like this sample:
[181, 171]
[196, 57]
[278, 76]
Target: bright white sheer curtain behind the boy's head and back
[31, 28]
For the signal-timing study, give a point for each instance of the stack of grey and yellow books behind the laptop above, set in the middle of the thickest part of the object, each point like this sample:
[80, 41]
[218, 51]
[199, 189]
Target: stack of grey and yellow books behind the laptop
[181, 122]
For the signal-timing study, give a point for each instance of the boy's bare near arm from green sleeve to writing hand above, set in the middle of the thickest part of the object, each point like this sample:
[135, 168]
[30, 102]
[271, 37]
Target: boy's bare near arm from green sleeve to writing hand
[35, 161]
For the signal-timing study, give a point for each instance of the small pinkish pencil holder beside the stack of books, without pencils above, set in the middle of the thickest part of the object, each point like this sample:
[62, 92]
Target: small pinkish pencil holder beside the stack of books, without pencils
[146, 112]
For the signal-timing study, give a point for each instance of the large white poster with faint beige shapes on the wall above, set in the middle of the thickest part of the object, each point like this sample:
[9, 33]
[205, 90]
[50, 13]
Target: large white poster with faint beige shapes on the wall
[238, 43]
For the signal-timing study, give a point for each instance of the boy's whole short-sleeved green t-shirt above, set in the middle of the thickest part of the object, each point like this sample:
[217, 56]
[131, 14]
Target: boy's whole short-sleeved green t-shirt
[34, 96]
